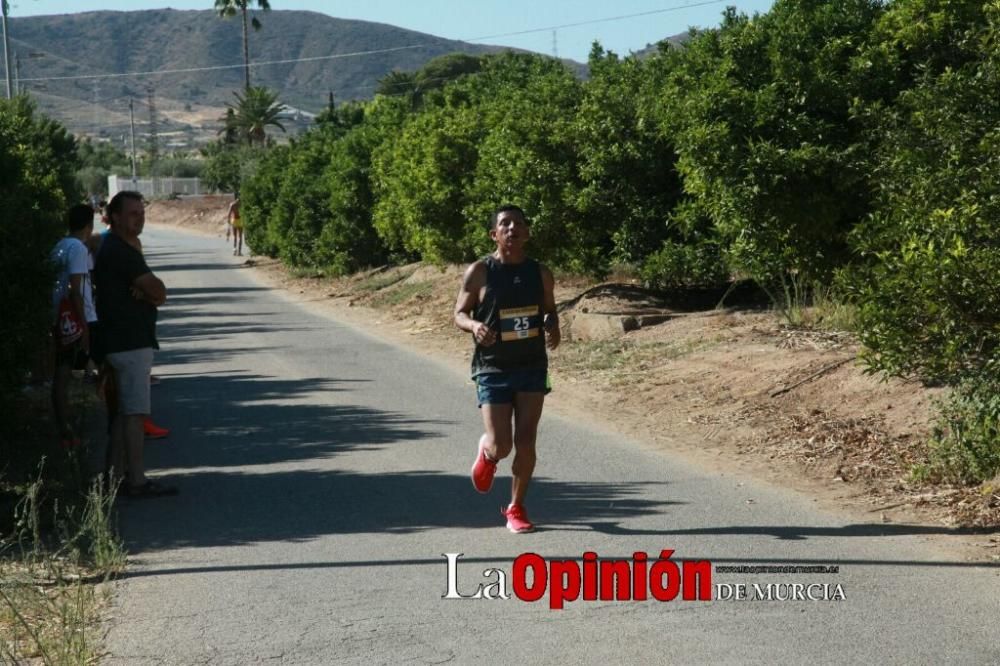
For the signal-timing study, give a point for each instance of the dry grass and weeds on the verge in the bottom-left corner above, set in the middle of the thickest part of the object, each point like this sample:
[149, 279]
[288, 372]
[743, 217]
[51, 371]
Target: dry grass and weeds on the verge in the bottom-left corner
[59, 548]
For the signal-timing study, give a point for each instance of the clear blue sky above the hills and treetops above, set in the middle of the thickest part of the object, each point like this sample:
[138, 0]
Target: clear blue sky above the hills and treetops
[472, 20]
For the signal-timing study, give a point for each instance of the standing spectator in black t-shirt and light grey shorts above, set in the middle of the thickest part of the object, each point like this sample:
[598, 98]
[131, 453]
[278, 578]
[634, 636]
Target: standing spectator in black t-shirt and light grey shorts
[128, 295]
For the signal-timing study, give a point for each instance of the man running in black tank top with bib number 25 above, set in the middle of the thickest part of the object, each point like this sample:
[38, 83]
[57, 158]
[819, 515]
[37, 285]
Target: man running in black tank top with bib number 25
[506, 301]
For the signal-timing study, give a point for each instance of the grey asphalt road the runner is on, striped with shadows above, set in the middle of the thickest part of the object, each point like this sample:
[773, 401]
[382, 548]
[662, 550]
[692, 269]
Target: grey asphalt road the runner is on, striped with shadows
[323, 474]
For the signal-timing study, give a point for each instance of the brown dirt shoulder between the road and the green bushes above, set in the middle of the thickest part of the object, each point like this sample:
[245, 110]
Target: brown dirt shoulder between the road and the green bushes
[731, 390]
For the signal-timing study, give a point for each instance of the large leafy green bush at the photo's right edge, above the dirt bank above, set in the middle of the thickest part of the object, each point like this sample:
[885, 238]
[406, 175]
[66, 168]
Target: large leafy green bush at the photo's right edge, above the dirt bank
[925, 297]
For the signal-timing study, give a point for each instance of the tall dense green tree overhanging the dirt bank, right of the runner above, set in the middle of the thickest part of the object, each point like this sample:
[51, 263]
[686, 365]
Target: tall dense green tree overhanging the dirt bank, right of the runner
[760, 114]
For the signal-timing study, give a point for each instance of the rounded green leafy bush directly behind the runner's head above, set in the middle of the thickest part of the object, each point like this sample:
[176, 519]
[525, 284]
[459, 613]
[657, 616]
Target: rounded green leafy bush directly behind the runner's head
[500, 135]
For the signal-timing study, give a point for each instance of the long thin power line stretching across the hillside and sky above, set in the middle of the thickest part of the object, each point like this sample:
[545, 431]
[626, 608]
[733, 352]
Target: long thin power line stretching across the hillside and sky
[336, 56]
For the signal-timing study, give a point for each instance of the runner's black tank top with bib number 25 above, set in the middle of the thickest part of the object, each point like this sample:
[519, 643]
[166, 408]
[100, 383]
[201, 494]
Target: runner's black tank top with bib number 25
[512, 308]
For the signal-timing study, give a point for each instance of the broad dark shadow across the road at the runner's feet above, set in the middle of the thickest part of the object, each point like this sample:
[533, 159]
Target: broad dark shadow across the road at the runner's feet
[241, 507]
